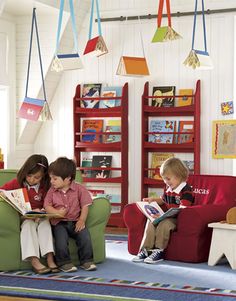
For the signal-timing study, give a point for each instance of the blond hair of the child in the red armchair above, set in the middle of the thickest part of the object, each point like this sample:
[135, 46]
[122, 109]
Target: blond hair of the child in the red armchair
[176, 167]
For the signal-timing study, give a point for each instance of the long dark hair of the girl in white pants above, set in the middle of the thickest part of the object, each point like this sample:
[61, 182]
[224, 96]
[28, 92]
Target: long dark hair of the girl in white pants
[32, 165]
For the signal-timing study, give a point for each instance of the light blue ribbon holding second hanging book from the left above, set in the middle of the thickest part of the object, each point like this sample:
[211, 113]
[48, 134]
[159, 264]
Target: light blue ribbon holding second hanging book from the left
[72, 15]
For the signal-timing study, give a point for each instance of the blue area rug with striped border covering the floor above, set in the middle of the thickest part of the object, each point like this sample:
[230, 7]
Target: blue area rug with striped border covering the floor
[118, 278]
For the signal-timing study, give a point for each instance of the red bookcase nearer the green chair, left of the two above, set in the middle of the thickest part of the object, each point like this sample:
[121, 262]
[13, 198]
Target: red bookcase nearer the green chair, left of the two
[80, 147]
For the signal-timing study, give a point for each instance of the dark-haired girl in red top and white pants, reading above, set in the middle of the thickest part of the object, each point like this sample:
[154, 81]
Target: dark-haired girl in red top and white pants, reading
[36, 234]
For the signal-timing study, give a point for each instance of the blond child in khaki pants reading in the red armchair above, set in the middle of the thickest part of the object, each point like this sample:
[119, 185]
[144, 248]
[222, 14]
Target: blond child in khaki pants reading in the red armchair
[177, 193]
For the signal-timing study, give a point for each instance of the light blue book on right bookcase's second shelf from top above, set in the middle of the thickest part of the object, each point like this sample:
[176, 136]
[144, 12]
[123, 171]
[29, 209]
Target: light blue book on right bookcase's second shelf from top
[163, 130]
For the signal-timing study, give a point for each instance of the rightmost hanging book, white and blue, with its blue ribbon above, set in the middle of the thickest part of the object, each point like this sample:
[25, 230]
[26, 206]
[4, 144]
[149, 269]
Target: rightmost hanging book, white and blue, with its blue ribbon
[199, 59]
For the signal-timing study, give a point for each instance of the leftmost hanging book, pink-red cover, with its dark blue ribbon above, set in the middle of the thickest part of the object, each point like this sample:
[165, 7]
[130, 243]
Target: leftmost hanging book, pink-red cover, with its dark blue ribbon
[32, 108]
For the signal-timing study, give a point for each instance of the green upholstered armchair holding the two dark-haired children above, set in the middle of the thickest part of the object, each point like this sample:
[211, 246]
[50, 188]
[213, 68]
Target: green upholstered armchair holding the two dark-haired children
[10, 252]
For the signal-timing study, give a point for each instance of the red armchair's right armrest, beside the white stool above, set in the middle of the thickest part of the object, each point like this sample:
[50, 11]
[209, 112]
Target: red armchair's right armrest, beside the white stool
[193, 220]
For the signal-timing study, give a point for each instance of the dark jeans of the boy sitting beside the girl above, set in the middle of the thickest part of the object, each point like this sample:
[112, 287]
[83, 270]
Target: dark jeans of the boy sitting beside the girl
[62, 231]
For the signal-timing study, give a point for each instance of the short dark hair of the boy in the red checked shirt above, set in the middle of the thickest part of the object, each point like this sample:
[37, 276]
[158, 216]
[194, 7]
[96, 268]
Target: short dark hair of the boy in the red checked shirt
[63, 167]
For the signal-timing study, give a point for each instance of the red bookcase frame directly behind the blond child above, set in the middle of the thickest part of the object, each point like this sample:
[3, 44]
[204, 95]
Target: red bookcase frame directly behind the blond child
[191, 111]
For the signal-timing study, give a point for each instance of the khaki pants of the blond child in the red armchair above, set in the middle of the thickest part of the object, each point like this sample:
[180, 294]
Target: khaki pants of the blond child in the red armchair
[157, 237]
